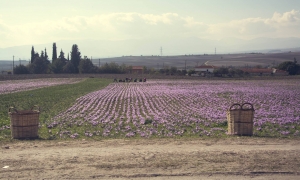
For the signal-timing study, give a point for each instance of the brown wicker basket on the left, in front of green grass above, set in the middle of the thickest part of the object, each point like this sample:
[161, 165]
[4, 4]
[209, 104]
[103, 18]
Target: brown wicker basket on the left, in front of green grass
[24, 123]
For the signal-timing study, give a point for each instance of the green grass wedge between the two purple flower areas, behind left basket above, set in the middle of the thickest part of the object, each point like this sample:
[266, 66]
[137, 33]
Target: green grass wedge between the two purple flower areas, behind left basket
[51, 100]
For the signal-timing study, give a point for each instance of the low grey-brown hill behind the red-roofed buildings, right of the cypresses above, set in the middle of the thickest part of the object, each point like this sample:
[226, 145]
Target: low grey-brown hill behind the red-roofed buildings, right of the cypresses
[190, 61]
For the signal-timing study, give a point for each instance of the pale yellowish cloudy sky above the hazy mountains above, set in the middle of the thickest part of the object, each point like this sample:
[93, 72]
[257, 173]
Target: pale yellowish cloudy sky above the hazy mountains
[24, 22]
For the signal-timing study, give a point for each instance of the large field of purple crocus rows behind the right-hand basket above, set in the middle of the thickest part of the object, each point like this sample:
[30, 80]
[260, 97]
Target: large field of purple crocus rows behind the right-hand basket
[167, 108]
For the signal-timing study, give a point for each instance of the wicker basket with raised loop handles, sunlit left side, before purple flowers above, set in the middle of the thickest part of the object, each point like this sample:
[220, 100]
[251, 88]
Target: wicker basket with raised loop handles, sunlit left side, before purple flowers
[240, 120]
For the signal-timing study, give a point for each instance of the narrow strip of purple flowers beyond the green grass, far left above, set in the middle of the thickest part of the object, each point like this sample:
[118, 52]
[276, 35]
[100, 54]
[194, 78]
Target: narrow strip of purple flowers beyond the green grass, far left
[29, 84]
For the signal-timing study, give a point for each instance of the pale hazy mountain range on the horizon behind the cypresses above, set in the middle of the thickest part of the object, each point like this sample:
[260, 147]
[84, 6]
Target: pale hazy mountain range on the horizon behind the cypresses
[148, 47]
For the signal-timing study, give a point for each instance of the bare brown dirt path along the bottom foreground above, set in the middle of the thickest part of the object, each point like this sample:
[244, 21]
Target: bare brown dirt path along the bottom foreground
[232, 158]
